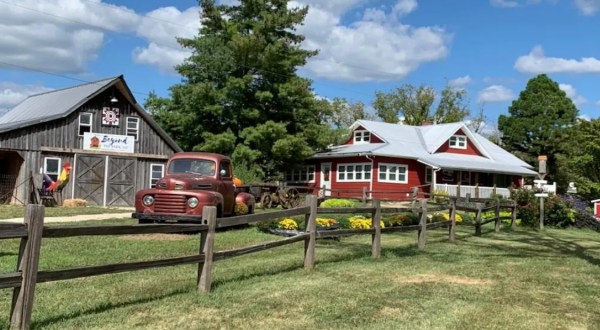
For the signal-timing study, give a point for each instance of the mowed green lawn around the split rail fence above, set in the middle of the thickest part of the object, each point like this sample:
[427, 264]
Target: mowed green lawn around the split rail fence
[520, 279]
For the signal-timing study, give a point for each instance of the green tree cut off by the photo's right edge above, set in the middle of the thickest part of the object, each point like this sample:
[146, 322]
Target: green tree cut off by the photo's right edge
[579, 161]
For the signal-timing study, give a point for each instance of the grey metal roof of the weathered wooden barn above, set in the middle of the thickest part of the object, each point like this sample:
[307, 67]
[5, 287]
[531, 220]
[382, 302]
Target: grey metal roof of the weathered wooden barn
[56, 104]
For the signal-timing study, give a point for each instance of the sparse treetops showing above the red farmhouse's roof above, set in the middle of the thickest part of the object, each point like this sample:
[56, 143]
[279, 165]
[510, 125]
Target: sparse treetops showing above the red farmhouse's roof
[414, 104]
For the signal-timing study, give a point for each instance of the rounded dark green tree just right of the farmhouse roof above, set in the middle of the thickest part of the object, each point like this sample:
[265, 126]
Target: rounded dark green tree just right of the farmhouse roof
[537, 121]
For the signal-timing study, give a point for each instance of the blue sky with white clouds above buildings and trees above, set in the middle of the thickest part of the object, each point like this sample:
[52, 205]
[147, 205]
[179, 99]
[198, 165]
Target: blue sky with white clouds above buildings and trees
[489, 48]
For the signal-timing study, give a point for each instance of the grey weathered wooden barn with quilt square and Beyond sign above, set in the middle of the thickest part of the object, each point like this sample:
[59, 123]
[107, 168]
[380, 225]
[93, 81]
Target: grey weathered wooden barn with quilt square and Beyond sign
[113, 146]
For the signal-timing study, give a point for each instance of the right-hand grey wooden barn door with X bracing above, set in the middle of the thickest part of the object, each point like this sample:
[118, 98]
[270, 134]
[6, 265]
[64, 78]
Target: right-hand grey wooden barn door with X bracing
[120, 182]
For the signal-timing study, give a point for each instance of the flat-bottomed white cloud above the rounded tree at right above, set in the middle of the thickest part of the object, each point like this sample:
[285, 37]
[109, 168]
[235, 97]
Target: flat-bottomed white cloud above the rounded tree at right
[536, 62]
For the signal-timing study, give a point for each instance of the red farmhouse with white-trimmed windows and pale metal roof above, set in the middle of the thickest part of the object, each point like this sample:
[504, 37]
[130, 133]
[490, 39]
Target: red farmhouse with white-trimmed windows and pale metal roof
[384, 158]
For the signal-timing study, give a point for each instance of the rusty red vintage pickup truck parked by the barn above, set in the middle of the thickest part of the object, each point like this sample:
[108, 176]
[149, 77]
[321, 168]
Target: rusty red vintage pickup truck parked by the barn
[192, 180]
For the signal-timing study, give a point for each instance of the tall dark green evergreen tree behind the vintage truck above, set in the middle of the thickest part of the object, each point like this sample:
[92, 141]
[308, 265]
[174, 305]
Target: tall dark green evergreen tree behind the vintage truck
[240, 94]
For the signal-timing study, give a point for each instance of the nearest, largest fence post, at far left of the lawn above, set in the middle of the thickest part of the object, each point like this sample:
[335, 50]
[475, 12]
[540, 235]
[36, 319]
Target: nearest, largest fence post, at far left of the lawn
[23, 296]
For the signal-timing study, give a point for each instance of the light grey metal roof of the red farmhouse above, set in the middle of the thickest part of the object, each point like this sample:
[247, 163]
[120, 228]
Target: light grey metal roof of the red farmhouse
[422, 142]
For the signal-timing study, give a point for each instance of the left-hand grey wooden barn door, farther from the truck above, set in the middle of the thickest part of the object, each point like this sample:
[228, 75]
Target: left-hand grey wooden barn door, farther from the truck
[89, 179]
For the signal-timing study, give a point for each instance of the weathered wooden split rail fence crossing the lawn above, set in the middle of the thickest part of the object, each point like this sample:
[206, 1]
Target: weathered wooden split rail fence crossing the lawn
[24, 279]
